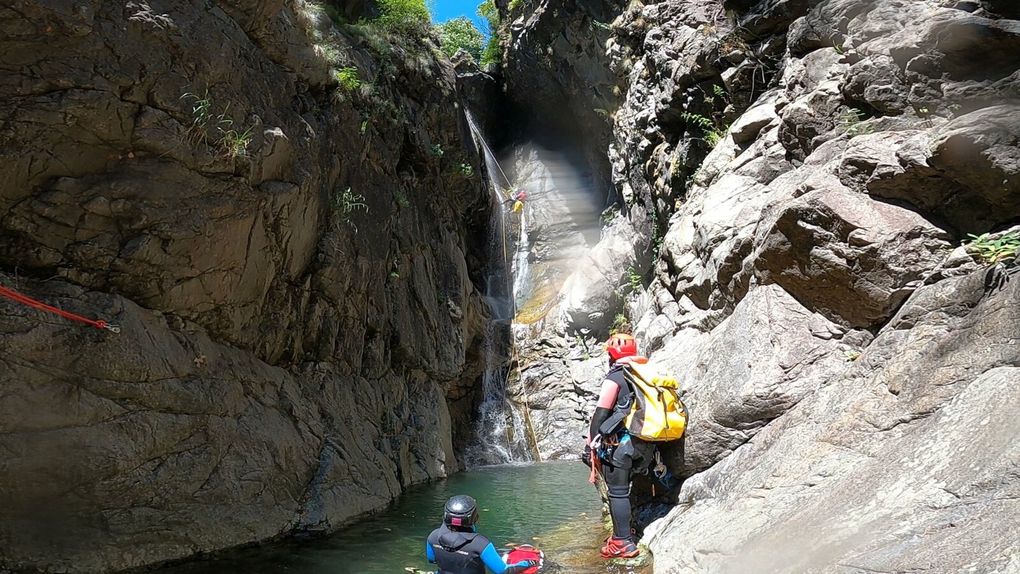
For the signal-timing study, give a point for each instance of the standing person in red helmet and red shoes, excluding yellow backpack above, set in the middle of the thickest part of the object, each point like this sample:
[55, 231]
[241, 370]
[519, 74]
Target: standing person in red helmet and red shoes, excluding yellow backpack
[621, 454]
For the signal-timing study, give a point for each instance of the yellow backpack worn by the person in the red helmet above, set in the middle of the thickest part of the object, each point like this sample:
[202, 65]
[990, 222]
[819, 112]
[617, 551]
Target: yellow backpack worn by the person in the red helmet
[656, 412]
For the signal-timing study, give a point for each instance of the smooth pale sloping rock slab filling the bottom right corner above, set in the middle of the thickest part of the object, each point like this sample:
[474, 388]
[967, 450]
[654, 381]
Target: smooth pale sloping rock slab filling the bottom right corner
[906, 462]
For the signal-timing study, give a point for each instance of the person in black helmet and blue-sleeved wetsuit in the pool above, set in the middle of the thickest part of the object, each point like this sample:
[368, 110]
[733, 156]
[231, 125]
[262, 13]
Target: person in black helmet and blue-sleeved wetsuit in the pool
[457, 549]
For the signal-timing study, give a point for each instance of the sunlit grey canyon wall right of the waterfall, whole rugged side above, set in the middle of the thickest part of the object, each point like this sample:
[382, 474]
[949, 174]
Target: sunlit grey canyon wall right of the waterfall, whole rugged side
[799, 178]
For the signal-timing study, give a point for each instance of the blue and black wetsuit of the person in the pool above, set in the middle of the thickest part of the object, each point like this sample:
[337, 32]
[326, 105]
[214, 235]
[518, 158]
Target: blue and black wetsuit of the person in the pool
[467, 552]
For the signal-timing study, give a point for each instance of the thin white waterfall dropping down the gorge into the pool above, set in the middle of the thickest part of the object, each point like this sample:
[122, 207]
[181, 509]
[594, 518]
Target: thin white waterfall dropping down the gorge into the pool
[500, 431]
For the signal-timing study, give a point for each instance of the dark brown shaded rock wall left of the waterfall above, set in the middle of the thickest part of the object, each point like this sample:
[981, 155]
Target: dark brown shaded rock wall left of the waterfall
[293, 264]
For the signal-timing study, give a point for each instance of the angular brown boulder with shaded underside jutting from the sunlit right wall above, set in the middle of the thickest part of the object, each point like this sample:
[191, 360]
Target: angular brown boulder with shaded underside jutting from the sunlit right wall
[847, 256]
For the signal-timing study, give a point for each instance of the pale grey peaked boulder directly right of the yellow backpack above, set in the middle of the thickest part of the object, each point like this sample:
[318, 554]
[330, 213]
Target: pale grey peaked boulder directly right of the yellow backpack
[735, 382]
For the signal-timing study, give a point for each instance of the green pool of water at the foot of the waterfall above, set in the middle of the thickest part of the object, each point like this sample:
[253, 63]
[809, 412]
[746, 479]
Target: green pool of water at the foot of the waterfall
[550, 505]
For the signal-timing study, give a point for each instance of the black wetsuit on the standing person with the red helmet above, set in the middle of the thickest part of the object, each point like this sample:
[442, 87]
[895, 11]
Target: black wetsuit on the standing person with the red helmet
[621, 463]
